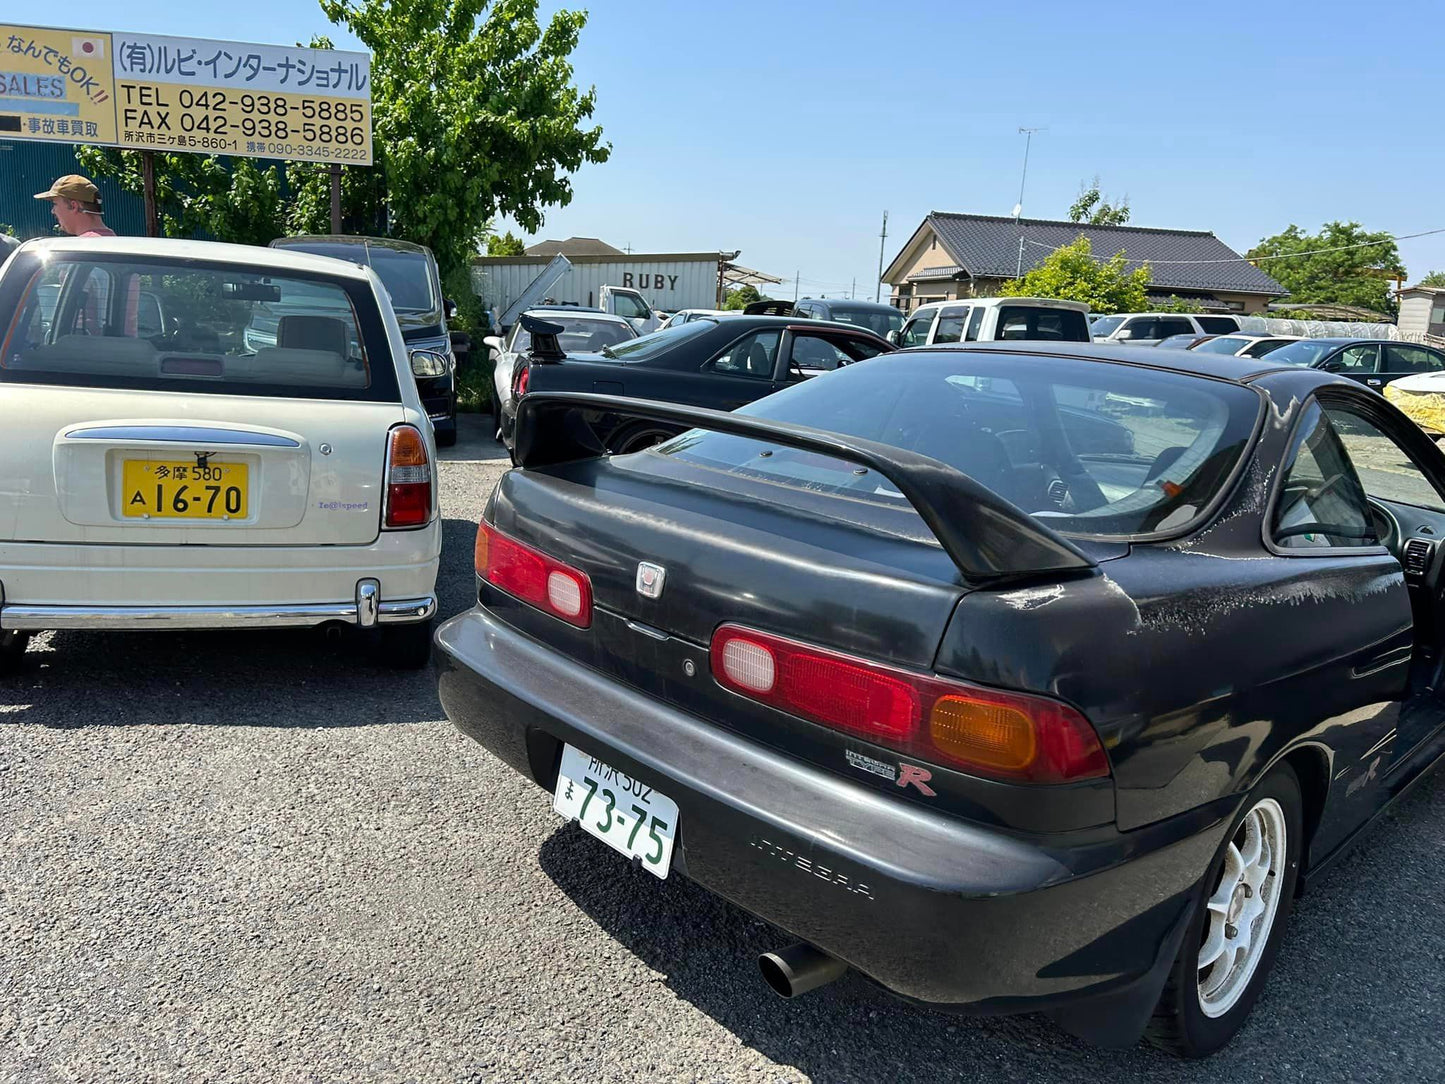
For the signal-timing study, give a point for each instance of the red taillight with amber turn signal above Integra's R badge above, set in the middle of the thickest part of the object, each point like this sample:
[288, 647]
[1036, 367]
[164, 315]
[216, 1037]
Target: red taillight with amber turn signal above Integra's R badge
[979, 731]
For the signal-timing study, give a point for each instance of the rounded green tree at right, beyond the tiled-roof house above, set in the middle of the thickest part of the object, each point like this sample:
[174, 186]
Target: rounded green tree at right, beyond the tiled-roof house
[1342, 265]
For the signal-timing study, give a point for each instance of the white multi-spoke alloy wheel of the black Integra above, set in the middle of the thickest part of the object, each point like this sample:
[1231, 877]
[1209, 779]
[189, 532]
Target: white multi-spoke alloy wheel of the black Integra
[1242, 908]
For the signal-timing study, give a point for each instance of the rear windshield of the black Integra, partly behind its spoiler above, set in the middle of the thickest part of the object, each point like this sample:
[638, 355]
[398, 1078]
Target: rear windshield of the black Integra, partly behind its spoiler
[1087, 447]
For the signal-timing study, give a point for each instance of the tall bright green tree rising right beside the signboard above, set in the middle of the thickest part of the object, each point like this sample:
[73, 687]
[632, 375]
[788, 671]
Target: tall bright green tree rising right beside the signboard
[475, 118]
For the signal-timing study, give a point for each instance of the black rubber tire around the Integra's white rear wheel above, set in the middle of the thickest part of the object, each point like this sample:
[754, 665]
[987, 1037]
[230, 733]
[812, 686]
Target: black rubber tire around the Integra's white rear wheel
[1180, 1024]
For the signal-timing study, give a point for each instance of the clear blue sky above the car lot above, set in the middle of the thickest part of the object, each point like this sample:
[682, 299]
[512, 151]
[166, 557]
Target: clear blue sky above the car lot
[787, 129]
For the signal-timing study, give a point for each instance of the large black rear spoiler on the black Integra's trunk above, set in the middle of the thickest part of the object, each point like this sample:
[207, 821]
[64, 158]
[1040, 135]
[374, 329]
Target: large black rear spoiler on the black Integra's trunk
[985, 535]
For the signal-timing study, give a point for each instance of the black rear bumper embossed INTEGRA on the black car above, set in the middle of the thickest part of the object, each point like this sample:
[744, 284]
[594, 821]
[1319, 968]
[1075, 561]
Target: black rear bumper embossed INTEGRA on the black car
[936, 910]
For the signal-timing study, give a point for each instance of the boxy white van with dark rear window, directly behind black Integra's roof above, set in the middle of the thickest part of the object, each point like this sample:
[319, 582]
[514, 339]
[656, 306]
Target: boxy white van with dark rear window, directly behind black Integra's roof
[991, 320]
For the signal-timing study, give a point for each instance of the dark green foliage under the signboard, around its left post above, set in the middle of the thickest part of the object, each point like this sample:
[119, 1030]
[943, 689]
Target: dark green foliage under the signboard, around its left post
[232, 202]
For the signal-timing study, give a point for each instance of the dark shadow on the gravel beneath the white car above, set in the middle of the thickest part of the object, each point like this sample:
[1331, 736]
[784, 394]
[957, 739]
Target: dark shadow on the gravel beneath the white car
[269, 679]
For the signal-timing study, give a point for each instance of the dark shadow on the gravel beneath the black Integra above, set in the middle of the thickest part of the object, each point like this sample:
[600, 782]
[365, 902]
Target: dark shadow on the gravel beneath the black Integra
[1333, 997]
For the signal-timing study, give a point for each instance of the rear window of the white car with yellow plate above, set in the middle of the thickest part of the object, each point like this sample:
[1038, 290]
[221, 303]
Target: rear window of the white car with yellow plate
[111, 322]
